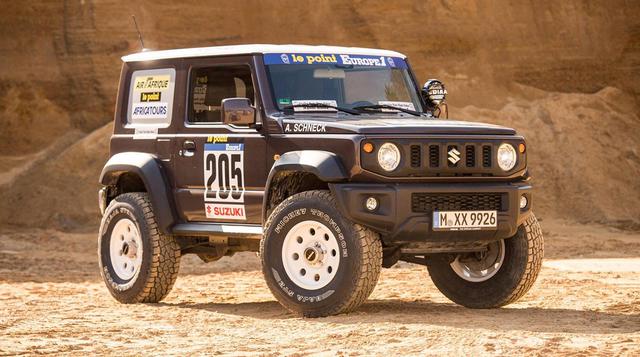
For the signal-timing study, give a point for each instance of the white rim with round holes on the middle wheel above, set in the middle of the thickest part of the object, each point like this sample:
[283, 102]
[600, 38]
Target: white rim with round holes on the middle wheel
[310, 255]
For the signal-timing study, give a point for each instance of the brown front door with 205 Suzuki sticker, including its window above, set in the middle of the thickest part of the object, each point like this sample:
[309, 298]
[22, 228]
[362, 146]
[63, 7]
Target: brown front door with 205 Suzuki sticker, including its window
[219, 170]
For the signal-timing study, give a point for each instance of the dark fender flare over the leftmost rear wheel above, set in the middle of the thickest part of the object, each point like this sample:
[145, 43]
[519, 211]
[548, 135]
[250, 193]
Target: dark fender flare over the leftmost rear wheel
[151, 172]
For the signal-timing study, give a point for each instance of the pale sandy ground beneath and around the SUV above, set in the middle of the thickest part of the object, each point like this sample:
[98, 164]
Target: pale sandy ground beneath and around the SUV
[586, 301]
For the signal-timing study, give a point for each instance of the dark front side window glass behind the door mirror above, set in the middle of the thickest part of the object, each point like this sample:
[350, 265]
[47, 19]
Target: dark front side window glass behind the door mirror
[210, 85]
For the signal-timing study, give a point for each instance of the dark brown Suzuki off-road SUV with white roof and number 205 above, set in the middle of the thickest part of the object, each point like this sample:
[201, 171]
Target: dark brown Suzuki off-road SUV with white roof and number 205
[331, 162]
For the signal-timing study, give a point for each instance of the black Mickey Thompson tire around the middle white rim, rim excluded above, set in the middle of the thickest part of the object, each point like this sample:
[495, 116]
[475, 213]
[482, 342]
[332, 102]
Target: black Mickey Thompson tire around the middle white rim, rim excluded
[356, 276]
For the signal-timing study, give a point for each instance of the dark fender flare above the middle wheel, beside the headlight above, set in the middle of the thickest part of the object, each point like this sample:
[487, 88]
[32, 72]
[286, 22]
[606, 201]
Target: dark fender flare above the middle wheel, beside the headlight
[325, 165]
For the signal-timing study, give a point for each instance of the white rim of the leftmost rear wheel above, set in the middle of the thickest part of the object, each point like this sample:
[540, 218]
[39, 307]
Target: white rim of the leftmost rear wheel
[125, 249]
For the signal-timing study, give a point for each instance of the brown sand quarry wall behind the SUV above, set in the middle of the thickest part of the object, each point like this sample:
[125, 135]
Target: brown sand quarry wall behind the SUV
[565, 74]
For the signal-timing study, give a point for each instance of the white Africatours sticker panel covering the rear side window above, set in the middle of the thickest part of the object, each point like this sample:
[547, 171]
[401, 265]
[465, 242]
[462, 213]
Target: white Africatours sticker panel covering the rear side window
[151, 97]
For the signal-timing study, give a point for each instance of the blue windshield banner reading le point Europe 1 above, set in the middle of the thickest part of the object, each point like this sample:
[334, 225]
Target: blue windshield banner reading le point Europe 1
[338, 59]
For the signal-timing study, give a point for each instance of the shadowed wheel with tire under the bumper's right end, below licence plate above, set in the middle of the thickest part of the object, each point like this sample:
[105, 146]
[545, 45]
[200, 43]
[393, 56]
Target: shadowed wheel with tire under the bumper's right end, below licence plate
[498, 276]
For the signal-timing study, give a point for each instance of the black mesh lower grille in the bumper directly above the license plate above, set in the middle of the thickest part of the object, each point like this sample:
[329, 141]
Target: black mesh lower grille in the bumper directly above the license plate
[429, 202]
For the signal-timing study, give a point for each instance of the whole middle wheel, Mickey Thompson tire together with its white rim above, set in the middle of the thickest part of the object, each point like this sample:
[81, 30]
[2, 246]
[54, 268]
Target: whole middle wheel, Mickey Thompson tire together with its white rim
[308, 225]
